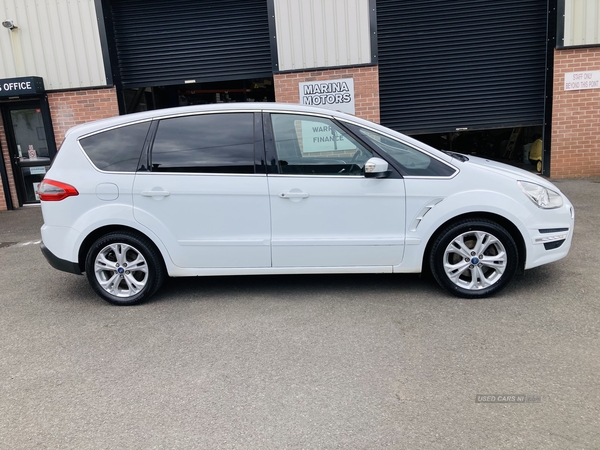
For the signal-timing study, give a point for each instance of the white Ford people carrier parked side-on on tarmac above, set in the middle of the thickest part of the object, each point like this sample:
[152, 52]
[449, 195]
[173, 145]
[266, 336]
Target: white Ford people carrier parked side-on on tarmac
[240, 189]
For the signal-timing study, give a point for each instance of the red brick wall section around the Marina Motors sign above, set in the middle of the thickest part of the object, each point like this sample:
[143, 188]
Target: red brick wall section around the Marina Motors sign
[366, 87]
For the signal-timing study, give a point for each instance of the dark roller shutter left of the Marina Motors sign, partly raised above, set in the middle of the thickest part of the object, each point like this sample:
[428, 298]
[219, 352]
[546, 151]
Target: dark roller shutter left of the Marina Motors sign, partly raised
[167, 42]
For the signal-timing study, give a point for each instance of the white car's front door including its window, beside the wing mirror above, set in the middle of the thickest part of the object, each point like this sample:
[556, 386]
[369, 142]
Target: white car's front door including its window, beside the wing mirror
[324, 211]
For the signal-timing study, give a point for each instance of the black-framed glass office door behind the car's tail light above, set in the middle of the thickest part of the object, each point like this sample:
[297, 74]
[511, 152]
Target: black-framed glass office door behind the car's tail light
[28, 148]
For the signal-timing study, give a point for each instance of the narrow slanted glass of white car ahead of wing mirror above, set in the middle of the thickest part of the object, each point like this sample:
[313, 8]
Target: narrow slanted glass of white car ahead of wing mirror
[412, 161]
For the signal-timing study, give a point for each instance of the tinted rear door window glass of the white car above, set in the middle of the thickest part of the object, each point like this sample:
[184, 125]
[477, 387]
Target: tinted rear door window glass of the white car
[205, 143]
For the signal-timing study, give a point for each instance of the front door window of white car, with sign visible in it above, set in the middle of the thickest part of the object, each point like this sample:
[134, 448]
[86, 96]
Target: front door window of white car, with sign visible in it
[308, 145]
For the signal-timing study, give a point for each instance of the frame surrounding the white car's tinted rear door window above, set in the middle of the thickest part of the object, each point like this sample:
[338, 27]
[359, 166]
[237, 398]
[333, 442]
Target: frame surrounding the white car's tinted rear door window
[258, 145]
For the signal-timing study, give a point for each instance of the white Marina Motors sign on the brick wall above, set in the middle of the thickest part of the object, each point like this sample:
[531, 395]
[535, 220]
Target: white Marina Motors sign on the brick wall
[331, 94]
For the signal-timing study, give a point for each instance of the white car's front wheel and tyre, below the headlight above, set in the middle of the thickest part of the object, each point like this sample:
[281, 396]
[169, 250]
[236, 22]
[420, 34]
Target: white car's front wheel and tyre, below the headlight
[474, 258]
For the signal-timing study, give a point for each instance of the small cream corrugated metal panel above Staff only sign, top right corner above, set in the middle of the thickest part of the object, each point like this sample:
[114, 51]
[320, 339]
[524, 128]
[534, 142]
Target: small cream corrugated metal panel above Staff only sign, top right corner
[582, 22]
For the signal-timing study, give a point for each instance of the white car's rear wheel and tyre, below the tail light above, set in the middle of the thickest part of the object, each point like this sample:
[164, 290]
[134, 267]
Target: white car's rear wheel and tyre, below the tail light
[124, 268]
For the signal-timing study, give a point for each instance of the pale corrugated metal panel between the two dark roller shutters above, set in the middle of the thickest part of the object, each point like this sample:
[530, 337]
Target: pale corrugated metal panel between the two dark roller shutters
[322, 33]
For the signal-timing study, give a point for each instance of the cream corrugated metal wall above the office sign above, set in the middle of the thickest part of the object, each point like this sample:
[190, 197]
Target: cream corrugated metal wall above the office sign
[57, 40]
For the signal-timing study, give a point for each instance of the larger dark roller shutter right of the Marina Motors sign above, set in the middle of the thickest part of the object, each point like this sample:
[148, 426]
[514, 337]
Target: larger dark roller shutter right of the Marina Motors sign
[475, 64]
